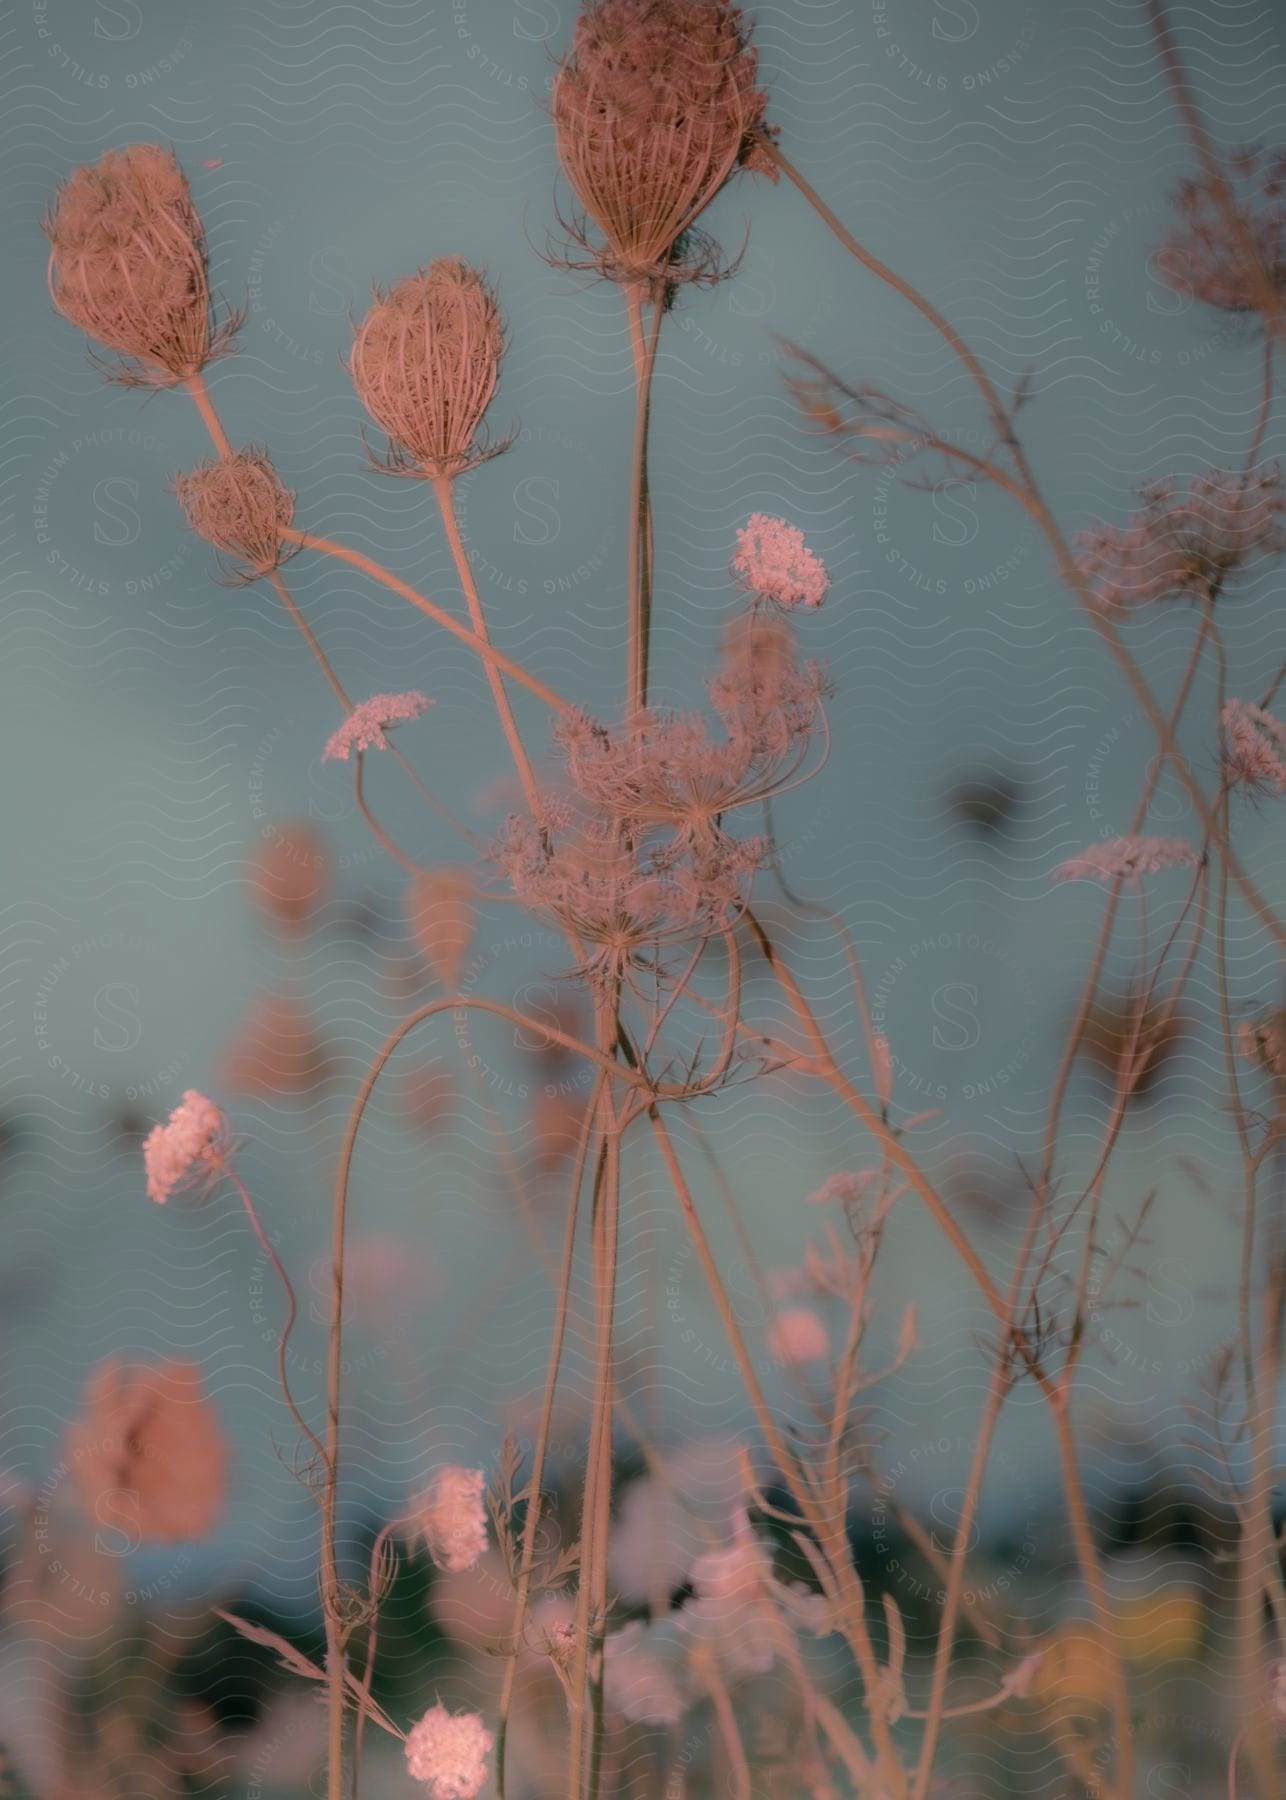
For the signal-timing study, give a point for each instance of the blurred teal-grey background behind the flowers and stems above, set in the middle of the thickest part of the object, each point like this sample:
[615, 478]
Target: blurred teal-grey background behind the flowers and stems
[163, 732]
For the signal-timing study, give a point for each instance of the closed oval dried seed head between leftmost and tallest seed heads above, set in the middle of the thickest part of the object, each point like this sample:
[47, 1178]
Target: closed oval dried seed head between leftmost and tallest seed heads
[426, 363]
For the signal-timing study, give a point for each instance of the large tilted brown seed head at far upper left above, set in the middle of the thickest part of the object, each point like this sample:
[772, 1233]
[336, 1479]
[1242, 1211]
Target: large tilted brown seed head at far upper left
[129, 267]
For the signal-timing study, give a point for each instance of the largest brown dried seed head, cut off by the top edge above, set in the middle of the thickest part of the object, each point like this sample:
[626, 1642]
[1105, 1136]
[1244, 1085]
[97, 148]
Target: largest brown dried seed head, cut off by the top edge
[655, 109]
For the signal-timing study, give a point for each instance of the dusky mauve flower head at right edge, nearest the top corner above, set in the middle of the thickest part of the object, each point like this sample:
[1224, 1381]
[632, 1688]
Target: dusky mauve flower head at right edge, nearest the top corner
[1209, 258]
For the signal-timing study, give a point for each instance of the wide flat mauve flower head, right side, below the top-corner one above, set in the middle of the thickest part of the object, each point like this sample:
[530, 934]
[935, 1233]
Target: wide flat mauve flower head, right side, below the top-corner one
[1186, 541]
